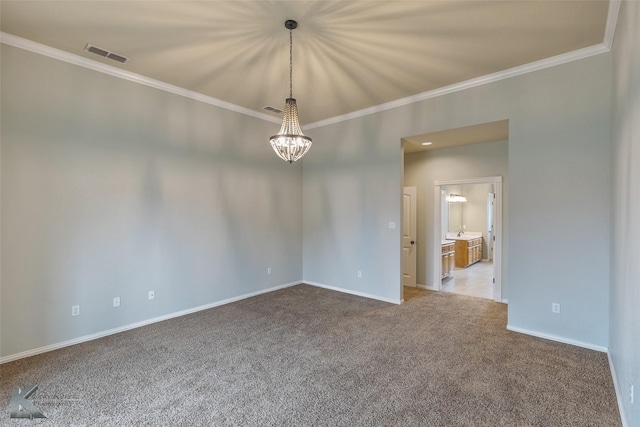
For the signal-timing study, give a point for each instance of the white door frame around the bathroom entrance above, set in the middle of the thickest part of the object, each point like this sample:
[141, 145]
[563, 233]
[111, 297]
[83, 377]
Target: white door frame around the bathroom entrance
[437, 229]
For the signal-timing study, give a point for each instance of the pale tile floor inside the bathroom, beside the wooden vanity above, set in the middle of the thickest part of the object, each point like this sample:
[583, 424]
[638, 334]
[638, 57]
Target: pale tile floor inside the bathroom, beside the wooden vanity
[475, 280]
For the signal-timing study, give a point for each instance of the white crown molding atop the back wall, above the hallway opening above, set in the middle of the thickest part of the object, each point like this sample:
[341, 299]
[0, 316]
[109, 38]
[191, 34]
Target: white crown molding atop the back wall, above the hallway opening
[467, 84]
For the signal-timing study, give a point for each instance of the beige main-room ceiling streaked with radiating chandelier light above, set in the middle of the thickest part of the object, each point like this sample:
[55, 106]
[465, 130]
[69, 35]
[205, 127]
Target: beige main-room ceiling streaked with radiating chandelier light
[348, 55]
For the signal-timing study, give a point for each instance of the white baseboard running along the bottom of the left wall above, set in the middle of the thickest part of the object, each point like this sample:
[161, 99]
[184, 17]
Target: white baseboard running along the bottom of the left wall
[97, 335]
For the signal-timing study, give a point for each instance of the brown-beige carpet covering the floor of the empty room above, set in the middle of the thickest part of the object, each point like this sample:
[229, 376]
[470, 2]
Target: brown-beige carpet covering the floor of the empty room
[307, 356]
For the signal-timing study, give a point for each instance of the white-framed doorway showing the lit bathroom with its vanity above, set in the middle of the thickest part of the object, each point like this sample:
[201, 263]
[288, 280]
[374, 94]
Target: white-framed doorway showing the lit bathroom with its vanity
[490, 237]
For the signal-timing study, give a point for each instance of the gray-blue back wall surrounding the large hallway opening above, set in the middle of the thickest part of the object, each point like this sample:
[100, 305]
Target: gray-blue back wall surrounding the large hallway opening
[559, 182]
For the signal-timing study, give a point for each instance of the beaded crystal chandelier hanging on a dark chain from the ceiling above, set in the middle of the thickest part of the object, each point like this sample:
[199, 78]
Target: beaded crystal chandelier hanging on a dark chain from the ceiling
[290, 144]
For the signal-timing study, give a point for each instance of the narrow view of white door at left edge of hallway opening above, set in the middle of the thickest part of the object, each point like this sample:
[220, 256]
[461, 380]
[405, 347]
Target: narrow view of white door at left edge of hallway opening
[409, 247]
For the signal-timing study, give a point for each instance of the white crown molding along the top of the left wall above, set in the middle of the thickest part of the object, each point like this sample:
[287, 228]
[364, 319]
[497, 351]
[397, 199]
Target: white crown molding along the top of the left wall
[19, 42]
